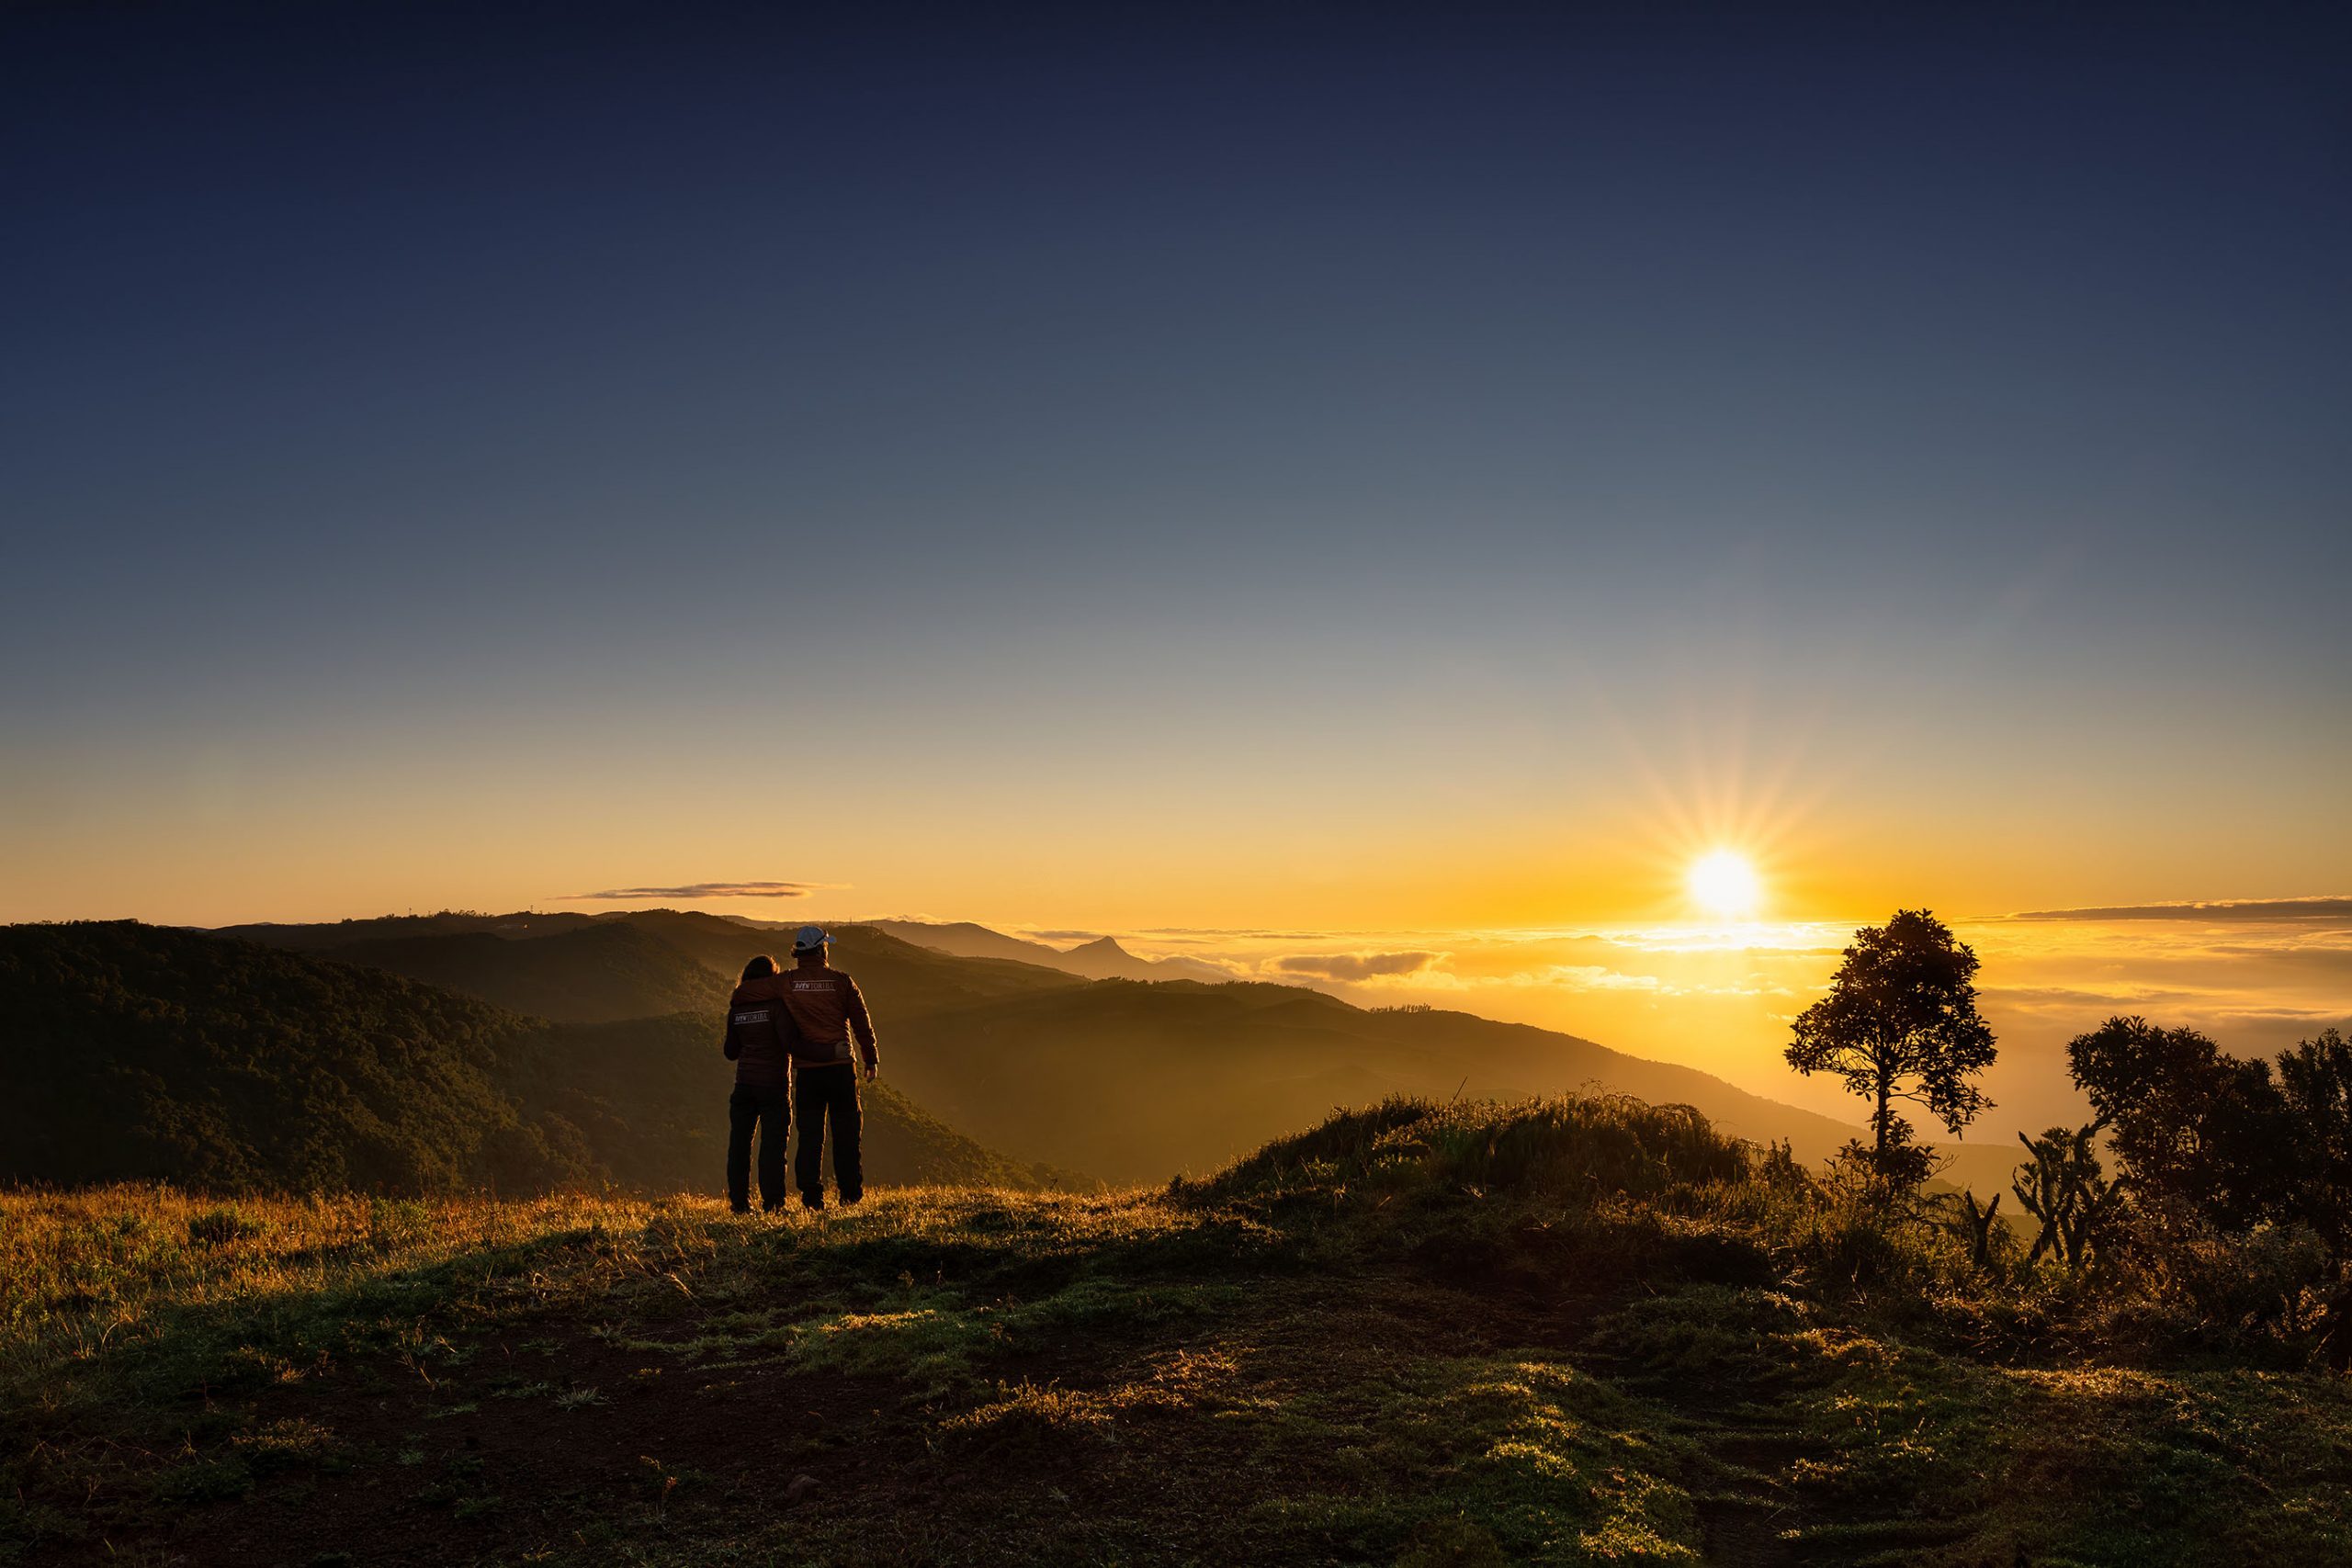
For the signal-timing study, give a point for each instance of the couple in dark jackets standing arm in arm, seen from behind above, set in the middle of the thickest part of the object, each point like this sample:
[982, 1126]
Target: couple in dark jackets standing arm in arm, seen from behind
[808, 1031]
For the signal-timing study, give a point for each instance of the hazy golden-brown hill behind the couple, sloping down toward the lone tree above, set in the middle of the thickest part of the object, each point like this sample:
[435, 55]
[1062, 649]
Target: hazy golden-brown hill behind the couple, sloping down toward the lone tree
[1121, 1080]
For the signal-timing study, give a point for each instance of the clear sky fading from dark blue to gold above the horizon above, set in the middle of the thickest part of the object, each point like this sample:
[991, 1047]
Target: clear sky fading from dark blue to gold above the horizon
[1344, 469]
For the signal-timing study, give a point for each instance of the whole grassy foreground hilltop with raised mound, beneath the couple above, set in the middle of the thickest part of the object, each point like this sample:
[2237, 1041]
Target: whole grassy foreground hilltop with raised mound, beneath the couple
[1551, 1334]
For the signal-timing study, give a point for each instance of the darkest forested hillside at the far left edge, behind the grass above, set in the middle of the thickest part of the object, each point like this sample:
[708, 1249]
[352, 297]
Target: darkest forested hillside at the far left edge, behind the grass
[131, 1052]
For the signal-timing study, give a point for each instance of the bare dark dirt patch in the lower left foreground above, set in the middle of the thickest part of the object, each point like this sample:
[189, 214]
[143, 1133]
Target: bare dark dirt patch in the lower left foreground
[540, 1442]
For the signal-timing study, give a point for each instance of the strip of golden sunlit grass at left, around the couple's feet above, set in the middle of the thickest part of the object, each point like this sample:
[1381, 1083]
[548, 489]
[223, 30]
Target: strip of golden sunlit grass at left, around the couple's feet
[114, 1280]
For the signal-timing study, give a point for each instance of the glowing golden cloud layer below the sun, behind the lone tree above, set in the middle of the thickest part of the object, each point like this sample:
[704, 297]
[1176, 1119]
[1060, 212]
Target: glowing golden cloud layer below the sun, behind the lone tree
[1723, 998]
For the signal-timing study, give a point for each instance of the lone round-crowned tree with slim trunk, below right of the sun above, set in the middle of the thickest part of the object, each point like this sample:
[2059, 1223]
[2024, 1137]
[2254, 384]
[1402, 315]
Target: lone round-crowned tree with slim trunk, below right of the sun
[1902, 1024]
